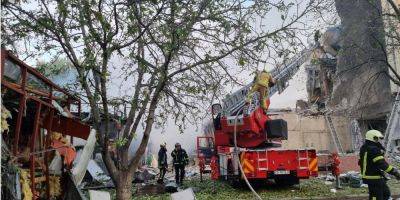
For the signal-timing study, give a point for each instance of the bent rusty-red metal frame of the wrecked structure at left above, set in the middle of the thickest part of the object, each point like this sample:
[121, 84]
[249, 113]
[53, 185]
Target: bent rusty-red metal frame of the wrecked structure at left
[31, 97]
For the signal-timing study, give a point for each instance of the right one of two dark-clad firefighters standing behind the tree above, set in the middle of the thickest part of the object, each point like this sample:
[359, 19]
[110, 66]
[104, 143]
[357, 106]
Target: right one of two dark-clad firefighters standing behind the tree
[180, 160]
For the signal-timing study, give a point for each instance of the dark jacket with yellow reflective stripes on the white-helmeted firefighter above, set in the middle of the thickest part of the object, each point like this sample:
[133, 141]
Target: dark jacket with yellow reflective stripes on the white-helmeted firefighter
[372, 162]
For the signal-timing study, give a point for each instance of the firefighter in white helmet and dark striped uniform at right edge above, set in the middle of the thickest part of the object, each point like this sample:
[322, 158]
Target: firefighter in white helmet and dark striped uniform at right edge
[373, 166]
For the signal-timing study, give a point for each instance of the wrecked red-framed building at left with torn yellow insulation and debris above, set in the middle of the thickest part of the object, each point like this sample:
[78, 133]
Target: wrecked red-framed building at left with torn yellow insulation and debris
[37, 133]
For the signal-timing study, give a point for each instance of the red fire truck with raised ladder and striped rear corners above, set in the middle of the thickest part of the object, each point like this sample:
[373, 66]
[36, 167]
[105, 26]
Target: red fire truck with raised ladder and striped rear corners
[245, 143]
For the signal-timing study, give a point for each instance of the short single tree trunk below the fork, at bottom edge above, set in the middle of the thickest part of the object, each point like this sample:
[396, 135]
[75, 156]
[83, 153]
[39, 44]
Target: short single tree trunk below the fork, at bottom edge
[124, 186]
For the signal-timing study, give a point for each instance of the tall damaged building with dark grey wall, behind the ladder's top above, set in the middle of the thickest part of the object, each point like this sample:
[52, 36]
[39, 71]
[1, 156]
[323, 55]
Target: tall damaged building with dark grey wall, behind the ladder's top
[348, 81]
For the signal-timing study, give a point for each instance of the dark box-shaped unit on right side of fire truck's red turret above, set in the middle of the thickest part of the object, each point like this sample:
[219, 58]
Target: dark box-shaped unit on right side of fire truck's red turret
[276, 128]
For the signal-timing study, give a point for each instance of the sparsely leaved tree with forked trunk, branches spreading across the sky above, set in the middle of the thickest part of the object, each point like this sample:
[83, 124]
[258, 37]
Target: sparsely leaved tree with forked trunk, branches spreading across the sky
[176, 54]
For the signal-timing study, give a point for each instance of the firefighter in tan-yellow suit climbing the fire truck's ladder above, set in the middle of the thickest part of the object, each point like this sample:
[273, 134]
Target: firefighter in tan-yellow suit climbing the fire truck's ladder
[261, 84]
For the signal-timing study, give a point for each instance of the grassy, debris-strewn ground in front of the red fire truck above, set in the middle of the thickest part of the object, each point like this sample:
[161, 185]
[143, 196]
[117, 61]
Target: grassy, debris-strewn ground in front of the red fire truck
[307, 189]
